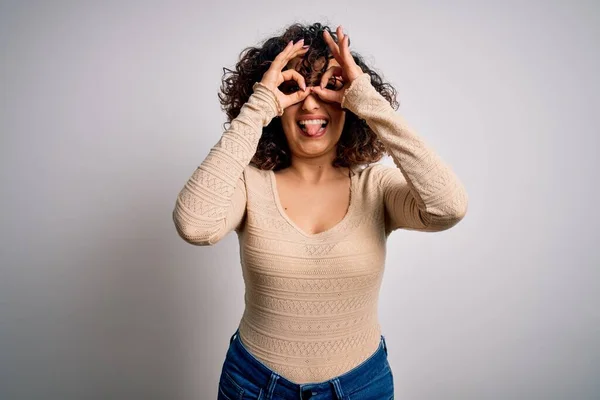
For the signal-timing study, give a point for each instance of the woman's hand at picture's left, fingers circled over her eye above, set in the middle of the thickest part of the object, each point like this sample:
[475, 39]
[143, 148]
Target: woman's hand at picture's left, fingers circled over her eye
[274, 76]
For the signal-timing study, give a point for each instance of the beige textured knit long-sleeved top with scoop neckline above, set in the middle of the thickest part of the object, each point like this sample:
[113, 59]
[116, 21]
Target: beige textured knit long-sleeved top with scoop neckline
[311, 299]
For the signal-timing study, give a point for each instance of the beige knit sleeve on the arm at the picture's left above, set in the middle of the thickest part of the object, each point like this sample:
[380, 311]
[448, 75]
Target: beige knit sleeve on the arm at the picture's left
[213, 201]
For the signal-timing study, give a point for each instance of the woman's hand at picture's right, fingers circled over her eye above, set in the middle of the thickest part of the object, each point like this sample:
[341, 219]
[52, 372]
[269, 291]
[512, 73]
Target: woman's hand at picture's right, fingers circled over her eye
[346, 67]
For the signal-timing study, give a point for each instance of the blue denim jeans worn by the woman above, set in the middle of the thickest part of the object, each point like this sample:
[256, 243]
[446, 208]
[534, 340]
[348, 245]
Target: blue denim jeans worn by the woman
[244, 377]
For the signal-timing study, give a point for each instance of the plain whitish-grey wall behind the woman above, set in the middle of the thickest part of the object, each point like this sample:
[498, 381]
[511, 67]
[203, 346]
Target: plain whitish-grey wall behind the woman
[106, 109]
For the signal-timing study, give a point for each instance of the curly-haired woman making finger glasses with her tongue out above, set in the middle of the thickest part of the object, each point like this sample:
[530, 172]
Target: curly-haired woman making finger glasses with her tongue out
[293, 176]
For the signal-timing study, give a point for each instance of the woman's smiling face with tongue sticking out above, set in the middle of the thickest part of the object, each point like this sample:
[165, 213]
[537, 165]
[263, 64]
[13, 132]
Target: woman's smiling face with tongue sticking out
[313, 127]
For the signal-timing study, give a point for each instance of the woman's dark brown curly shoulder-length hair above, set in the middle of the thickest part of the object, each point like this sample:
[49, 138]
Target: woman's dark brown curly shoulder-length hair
[358, 144]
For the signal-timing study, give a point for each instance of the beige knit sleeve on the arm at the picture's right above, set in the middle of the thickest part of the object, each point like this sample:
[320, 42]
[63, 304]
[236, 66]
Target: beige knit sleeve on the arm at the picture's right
[422, 192]
